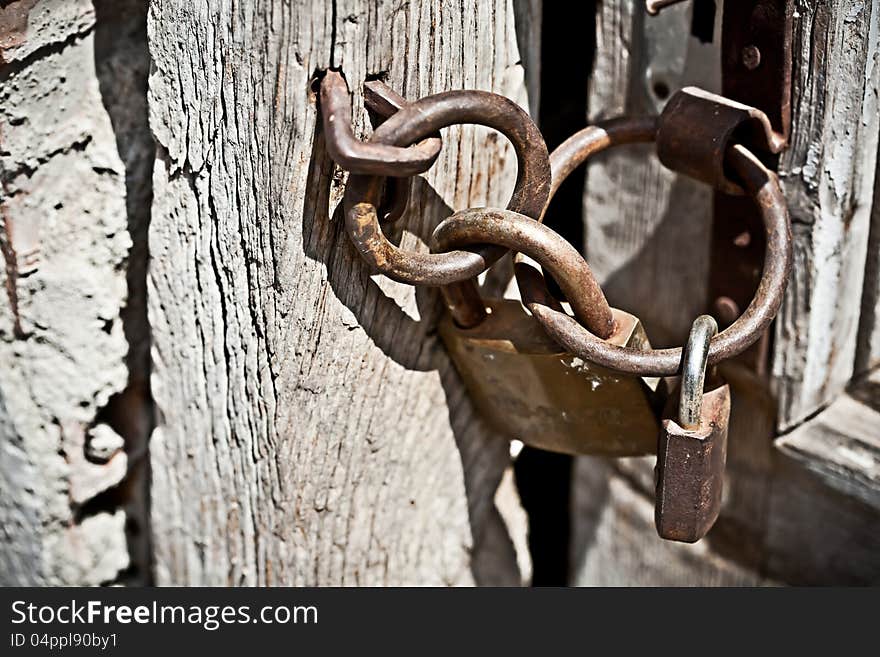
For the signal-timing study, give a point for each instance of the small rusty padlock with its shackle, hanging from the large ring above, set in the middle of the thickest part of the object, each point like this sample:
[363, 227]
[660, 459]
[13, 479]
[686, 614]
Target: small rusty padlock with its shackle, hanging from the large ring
[692, 452]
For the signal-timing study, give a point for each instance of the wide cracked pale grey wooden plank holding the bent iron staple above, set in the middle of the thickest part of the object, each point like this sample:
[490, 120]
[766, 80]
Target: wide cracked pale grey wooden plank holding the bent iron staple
[312, 429]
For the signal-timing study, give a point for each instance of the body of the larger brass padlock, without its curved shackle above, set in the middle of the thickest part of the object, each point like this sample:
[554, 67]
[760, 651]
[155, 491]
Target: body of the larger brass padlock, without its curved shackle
[528, 389]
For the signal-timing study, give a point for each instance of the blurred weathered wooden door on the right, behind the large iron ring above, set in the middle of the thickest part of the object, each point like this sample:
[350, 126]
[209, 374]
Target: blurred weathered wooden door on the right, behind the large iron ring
[802, 513]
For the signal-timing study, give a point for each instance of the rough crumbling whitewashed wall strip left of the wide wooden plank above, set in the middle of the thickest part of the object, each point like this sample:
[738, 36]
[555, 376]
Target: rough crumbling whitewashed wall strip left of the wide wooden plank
[75, 161]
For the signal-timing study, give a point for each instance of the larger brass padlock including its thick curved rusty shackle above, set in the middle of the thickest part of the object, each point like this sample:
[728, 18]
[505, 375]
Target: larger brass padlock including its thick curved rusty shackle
[521, 381]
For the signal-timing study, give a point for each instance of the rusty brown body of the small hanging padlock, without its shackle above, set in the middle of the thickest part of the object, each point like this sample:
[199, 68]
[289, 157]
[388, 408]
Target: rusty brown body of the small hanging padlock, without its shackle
[690, 469]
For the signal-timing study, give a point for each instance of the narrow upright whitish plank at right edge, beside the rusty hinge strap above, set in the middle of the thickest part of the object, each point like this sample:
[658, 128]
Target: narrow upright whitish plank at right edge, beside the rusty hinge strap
[828, 178]
